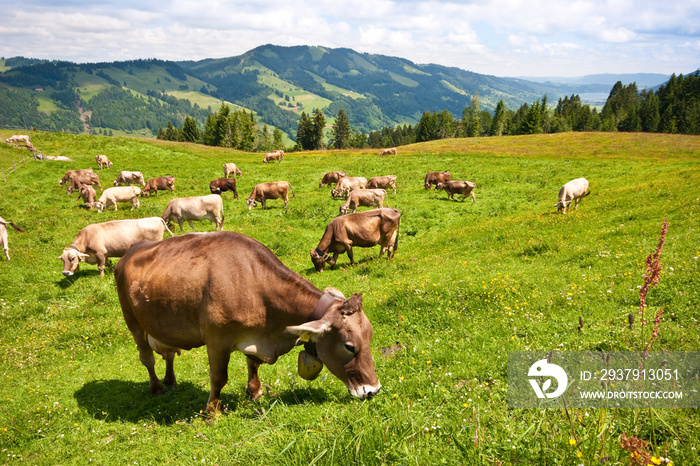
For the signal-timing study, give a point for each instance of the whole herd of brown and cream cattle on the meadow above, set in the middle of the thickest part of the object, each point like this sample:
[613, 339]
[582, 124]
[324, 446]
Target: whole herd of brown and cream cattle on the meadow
[231, 293]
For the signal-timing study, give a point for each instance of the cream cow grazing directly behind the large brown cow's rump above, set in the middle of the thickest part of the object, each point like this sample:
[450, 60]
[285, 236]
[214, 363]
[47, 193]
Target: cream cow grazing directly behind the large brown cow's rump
[95, 243]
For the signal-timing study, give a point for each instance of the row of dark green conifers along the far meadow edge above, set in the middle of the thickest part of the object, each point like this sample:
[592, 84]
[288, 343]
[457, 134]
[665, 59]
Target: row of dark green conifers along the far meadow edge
[673, 108]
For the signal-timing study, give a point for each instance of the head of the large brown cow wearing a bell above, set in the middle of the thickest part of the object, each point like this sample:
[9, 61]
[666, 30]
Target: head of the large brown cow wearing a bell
[342, 340]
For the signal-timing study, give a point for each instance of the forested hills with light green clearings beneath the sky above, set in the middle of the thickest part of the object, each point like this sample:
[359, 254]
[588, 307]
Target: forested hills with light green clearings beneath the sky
[276, 83]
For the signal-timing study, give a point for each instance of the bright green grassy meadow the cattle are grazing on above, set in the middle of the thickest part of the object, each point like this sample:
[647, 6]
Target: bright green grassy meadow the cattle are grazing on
[468, 284]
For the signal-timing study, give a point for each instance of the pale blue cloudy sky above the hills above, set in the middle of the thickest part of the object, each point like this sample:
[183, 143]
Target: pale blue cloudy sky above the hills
[497, 37]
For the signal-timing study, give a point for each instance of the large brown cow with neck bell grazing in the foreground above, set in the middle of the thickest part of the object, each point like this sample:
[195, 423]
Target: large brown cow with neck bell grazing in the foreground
[238, 296]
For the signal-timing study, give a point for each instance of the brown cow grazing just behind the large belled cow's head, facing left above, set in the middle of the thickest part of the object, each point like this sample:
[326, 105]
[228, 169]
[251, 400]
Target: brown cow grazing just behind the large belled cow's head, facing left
[364, 230]
